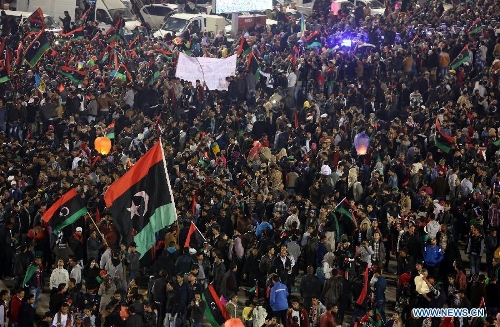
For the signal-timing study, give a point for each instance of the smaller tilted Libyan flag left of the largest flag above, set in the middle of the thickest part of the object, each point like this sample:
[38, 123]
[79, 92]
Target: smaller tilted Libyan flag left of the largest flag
[65, 211]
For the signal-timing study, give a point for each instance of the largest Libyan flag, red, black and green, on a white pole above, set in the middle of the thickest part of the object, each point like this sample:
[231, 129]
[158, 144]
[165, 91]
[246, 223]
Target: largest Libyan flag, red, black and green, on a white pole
[141, 201]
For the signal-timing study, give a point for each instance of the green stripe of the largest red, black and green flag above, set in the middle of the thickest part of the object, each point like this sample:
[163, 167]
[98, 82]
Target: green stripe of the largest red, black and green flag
[162, 217]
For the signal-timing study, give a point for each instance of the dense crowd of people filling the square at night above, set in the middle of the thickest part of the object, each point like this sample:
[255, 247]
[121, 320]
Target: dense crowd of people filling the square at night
[294, 219]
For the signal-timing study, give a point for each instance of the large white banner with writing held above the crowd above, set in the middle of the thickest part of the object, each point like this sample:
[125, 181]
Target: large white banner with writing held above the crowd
[212, 71]
